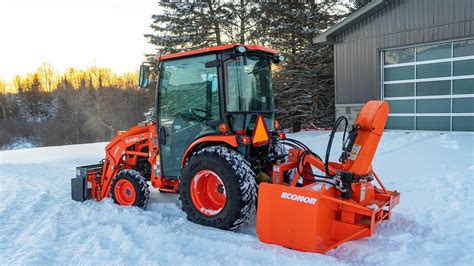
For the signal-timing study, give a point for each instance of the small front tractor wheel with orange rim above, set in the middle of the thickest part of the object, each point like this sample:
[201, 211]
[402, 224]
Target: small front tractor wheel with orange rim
[129, 187]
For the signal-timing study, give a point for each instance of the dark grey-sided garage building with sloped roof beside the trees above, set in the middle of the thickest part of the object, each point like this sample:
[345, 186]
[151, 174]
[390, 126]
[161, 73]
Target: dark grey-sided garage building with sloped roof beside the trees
[416, 54]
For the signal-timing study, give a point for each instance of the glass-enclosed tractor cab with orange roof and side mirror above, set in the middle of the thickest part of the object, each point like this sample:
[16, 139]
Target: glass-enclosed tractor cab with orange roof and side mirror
[212, 92]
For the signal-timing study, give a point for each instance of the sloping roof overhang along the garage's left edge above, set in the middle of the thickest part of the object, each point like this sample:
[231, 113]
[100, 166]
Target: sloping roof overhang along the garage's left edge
[329, 35]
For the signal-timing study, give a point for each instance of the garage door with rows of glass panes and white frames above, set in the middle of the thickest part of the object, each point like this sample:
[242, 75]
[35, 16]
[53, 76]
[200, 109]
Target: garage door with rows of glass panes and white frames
[430, 87]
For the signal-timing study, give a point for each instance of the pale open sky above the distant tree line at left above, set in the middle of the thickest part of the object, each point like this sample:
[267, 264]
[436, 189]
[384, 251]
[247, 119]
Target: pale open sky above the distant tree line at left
[73, 33]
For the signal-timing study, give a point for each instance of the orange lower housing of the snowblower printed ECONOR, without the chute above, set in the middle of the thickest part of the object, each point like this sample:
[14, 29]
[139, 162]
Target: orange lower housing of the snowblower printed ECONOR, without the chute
[314, 219]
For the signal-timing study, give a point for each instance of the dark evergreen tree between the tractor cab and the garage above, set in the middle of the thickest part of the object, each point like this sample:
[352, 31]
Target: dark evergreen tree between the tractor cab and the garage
[304, 89]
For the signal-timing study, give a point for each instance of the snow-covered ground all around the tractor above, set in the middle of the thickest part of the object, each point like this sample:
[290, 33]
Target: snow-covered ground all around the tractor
[40, 224]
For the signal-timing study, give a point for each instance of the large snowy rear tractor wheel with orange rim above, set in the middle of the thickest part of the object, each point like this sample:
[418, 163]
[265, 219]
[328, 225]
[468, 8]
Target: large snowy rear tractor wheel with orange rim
[218, 188]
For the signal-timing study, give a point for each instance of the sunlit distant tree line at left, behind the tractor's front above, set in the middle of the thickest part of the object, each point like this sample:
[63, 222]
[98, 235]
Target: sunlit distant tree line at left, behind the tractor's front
[77, 106]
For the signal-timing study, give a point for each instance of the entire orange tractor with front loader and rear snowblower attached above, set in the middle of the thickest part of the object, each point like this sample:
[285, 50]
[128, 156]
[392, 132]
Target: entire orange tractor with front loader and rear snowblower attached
[213, 138]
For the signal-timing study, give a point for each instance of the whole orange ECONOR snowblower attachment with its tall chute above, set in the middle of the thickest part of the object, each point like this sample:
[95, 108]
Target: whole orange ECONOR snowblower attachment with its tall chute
[318, 212]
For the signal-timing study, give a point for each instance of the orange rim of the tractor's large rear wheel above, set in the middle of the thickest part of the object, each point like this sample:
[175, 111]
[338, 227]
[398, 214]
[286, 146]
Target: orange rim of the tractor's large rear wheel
[208, 192]
